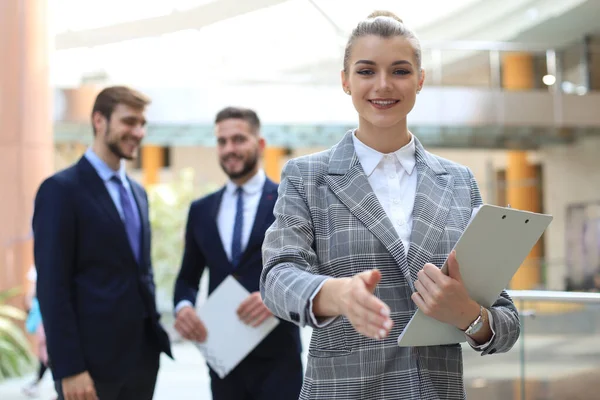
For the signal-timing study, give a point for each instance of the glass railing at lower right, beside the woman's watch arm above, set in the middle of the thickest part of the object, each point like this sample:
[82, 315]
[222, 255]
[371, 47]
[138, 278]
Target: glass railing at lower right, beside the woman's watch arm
[557, 356]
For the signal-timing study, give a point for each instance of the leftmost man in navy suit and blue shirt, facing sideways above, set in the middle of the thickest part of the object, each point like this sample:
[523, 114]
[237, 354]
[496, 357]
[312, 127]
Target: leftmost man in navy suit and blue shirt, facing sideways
[94, 273]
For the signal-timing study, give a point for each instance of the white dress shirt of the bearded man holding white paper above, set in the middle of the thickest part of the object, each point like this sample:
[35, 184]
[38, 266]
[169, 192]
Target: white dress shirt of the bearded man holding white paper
[251, 192]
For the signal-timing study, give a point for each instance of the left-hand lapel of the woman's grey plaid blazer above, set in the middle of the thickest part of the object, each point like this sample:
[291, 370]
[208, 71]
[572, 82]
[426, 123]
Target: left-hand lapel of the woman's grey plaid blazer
[349, 183]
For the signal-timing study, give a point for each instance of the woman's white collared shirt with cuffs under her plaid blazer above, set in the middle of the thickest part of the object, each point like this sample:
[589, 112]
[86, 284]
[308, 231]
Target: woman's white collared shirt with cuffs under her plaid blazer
[393, 178]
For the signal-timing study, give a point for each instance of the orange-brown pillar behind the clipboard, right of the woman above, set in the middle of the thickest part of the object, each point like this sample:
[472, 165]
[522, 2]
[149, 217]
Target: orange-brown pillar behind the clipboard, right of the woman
[522, 180]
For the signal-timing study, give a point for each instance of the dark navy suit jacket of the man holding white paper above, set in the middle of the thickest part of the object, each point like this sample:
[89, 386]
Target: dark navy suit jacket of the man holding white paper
[203, 247]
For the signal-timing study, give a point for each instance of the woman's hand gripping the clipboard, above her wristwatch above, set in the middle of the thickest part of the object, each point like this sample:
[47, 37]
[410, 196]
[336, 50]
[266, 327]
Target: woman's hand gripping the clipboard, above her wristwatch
[445, 298]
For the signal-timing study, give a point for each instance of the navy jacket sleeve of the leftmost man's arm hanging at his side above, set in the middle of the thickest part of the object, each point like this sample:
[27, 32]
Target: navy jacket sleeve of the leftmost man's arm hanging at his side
[55, 235]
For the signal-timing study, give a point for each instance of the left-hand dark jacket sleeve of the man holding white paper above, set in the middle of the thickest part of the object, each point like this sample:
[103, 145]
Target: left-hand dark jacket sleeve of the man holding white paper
[192, 265]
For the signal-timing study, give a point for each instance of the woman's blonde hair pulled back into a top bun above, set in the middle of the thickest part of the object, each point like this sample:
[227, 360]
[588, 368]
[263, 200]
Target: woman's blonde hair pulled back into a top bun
[384, 24]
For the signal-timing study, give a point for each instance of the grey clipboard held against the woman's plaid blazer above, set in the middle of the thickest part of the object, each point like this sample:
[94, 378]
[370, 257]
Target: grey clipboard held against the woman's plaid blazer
[489, 252]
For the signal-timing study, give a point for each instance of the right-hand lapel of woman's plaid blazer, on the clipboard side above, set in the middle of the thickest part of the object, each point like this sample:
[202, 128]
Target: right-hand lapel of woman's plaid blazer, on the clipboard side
[432, 205]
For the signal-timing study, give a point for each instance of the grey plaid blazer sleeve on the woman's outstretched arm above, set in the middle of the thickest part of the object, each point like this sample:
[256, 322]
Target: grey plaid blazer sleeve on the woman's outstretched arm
[287, 283]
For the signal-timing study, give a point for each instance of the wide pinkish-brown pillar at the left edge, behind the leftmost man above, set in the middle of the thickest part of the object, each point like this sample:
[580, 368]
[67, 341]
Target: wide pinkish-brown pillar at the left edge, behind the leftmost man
[26, 141]
